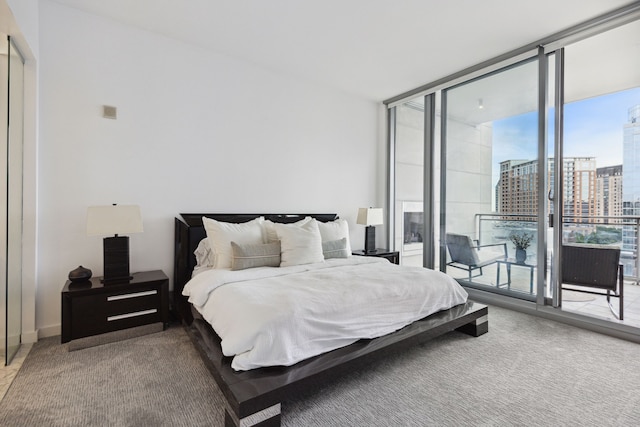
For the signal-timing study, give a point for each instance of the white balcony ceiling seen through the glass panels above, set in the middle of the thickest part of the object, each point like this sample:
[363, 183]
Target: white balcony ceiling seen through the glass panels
[604, 63]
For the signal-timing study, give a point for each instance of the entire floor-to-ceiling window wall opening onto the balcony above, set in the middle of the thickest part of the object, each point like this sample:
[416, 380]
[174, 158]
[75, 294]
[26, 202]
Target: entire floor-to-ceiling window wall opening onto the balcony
[538, 152]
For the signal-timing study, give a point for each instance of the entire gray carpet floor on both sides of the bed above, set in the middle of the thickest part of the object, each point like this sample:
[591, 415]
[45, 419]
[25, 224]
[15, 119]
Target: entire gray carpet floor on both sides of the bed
[525, 371]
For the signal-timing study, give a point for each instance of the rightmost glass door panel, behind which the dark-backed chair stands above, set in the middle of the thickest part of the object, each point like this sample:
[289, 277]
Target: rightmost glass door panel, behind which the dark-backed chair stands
[600, 163]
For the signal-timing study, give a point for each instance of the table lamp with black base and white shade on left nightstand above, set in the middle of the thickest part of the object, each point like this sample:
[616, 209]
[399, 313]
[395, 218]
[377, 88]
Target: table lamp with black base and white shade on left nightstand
[114, 220]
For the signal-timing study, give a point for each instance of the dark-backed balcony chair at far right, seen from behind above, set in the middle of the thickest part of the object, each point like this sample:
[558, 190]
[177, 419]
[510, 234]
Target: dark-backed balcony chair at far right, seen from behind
[597, 268]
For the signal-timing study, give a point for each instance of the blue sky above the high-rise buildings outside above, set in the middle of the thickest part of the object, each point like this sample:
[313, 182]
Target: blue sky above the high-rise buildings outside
[593, 128]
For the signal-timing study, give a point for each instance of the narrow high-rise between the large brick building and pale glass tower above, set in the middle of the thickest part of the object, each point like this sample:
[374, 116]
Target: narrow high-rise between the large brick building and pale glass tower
[608, 193]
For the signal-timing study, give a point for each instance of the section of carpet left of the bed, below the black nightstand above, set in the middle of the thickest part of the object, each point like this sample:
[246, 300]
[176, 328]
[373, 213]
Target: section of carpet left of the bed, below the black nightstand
[153, 380]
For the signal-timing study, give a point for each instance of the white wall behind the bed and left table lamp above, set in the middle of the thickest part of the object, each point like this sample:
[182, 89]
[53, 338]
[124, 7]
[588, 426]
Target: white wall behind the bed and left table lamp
[196, 132]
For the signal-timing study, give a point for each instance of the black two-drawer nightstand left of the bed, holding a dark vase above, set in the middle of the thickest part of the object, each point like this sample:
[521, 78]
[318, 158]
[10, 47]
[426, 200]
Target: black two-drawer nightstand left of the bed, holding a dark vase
[93, 308]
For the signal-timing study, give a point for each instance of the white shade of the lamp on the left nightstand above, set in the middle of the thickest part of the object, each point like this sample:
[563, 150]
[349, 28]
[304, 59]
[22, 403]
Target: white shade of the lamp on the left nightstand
[113, 219]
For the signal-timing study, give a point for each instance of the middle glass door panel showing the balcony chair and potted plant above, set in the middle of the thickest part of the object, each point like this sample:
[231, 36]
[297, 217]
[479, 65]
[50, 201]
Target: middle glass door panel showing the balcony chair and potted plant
[490, 183]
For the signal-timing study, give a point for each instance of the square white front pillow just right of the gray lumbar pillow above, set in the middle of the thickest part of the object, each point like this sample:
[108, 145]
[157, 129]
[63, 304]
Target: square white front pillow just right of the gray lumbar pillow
[299, 244]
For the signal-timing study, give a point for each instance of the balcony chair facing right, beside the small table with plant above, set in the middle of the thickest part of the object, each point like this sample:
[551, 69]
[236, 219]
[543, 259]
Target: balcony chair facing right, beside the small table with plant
[467, 256]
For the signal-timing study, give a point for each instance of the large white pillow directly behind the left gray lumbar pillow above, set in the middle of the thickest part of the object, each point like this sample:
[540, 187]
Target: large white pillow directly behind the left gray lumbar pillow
[221, 234]
